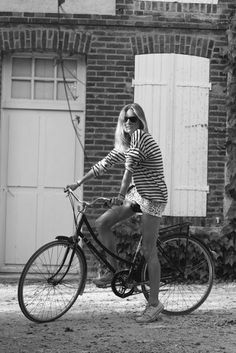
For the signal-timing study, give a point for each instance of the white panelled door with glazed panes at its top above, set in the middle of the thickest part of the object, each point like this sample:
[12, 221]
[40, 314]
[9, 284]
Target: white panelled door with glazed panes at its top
[40, 153]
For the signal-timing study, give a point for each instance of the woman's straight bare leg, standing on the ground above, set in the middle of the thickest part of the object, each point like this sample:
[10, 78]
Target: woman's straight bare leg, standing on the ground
[150, 230]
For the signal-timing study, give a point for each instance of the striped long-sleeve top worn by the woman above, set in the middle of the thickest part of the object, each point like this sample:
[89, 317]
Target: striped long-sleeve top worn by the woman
[144, 160]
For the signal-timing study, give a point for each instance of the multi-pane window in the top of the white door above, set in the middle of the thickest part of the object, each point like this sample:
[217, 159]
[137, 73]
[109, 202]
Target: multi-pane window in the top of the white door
[43, 79]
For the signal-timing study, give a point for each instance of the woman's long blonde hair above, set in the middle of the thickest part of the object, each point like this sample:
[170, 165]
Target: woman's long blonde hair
[122, 138]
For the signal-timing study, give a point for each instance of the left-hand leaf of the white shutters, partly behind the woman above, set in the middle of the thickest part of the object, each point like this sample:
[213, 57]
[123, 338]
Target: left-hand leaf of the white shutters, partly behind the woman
[153, 91]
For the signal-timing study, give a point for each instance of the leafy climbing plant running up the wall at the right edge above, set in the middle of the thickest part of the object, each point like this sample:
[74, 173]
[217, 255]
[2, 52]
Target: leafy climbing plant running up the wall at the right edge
[225, 246]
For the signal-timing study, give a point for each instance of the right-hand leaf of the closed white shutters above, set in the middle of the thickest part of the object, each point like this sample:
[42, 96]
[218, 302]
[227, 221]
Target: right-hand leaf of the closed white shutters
[191, 135]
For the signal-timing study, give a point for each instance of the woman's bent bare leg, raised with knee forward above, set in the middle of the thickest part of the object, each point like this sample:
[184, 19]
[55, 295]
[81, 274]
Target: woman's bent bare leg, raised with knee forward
[106, 221]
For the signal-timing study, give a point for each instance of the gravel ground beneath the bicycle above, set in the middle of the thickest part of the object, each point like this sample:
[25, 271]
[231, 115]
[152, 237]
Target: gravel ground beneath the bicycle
[100, 322]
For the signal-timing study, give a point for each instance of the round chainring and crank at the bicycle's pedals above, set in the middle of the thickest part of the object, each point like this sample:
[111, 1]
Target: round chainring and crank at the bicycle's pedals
[120, 284]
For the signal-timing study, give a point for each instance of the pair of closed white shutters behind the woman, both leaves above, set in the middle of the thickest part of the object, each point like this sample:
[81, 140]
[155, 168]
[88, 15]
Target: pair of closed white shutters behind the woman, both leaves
[174, 91]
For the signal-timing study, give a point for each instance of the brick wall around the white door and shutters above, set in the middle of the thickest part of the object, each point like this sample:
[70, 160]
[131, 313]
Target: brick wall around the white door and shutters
[110, 43]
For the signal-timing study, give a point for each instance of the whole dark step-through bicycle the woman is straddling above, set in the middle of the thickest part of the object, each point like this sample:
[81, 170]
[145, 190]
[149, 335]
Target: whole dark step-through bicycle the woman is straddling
[56, 274]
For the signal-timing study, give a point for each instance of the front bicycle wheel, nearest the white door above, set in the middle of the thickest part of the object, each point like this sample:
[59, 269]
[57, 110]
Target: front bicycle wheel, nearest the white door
[51, 281]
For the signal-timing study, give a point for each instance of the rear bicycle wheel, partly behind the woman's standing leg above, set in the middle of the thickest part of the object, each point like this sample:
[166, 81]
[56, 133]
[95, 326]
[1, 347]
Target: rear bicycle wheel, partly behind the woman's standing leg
[187, 274]
